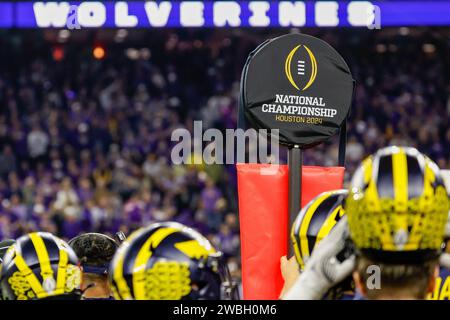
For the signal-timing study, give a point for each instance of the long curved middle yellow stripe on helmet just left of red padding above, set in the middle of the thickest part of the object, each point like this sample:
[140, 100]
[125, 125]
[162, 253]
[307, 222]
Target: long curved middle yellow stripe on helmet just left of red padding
[142, 258]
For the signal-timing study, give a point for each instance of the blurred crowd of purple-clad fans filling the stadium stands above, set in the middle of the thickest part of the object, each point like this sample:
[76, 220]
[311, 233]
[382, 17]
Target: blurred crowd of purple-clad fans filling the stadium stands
[86, 143]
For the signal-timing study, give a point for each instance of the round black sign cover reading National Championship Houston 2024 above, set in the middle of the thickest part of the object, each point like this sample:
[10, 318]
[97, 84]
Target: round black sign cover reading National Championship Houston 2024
[299, 85]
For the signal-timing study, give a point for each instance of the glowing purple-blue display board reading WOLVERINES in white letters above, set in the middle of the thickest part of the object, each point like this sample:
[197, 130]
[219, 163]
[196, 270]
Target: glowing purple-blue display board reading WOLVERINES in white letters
[159, 14]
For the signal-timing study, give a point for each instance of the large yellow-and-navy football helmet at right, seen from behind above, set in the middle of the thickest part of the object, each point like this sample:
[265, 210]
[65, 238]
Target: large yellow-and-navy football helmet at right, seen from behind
[397, 206]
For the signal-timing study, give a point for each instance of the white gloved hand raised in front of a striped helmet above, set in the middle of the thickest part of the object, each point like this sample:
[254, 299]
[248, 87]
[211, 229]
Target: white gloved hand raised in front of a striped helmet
[323, 270]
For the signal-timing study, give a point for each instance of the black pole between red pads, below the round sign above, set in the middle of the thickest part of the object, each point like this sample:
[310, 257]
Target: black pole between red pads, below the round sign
[295, 160]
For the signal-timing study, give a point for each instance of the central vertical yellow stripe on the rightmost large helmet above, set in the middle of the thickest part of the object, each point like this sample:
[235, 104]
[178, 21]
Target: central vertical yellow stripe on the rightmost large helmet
[400, 181]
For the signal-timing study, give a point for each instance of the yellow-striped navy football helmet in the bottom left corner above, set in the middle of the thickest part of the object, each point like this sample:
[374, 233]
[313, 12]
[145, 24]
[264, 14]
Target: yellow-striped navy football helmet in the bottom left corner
[40, 266]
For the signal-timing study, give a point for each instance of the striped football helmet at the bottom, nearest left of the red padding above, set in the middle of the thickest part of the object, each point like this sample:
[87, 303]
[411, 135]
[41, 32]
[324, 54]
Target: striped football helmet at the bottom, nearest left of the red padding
[169, 261]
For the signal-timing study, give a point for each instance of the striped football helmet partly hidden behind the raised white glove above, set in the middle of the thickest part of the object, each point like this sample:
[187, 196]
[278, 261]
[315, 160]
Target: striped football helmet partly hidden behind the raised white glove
[315, 221]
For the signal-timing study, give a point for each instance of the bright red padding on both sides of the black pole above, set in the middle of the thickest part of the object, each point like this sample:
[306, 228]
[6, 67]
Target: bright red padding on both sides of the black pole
[263, 215]
